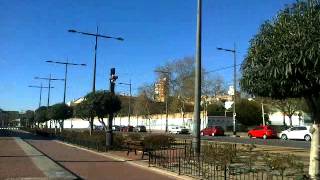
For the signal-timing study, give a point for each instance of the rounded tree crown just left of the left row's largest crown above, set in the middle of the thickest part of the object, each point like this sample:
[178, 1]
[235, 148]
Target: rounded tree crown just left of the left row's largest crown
[60, 111]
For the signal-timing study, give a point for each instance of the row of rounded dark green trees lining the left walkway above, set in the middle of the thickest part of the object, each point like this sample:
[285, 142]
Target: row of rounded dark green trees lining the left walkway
[100, 104]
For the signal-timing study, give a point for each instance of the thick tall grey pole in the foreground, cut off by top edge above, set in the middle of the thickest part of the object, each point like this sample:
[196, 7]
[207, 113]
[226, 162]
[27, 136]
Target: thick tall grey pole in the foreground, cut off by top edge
[196, 142]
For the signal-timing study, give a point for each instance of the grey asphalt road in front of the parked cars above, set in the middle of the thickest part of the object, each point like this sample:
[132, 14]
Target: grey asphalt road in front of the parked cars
[245, 140]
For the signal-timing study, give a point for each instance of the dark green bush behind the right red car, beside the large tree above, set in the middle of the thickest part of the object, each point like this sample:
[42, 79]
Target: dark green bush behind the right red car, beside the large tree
[249, 112]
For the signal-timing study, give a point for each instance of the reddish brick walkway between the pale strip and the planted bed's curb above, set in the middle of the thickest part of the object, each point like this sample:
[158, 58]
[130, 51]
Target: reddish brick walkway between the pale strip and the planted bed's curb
[93, 166]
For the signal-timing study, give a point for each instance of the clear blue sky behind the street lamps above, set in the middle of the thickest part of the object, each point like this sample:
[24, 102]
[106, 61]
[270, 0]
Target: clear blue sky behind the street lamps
[155, 31]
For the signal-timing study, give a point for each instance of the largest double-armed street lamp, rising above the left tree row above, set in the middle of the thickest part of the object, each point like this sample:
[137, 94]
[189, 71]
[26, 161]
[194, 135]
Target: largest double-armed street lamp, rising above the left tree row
[96, 35]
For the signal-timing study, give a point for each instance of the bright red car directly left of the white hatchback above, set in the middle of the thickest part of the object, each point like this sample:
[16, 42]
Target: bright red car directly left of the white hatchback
[262, 132]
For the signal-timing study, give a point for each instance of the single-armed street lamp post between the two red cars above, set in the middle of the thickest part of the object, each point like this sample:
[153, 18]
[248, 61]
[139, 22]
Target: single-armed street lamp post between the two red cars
[234, 84]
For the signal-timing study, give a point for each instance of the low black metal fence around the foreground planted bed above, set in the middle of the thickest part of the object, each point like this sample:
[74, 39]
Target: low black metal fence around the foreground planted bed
[180, 159]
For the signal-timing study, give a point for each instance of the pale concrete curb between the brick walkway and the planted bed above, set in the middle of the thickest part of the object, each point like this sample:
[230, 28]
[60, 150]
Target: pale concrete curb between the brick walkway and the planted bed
[133, 163]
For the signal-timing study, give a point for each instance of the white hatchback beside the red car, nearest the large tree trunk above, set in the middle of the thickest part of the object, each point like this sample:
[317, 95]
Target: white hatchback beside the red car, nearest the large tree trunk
[297, 132]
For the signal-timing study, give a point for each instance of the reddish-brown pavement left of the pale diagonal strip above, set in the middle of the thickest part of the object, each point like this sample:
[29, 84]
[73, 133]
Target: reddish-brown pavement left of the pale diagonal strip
[14, 163]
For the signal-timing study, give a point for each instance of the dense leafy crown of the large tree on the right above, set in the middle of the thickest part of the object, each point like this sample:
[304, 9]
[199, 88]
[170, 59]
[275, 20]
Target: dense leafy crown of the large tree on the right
[283, 58]
